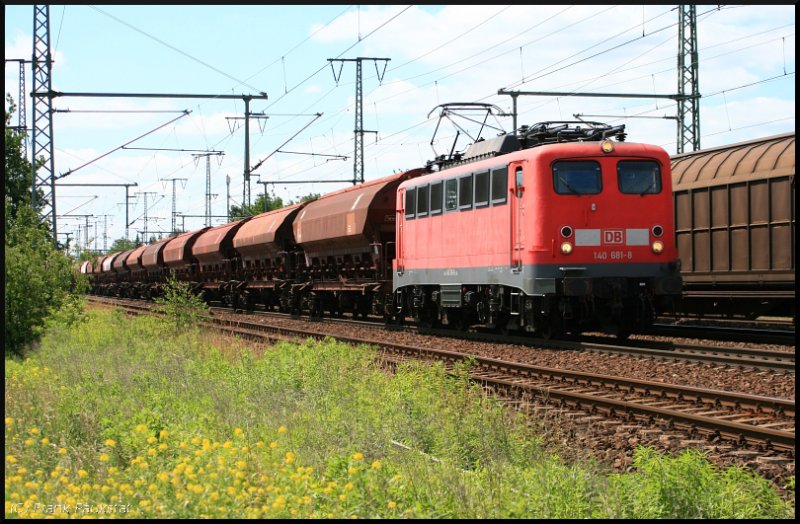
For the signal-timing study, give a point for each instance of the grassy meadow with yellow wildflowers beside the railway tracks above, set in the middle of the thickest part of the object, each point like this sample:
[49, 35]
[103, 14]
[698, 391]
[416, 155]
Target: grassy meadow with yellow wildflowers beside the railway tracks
[117, 417]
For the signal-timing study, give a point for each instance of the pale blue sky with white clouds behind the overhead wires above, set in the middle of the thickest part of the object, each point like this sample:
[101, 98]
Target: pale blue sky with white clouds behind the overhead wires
[304, 59]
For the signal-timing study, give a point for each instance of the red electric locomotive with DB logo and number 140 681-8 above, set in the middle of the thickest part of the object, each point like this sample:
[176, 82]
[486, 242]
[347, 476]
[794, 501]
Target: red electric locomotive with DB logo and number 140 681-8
[558, 229]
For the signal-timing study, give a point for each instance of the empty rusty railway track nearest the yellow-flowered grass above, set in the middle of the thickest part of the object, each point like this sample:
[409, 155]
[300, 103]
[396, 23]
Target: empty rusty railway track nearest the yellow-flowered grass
[704, 414]
